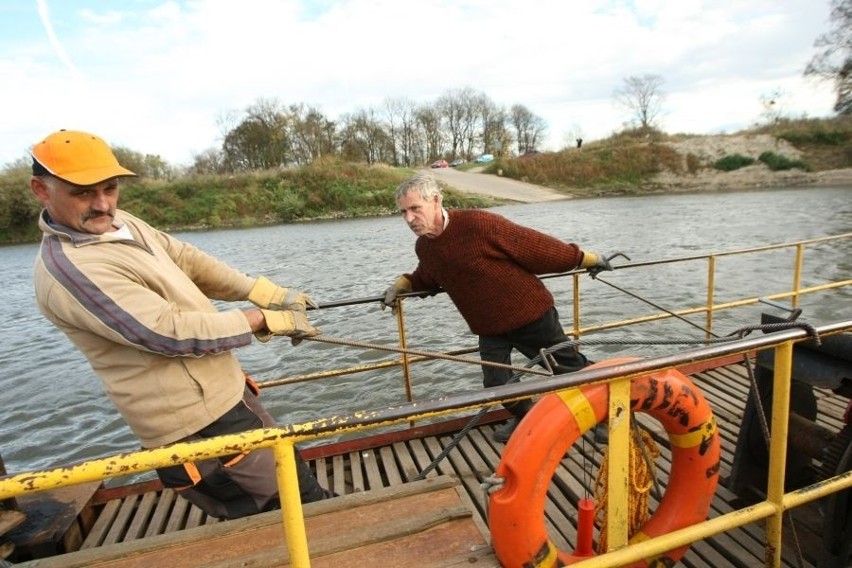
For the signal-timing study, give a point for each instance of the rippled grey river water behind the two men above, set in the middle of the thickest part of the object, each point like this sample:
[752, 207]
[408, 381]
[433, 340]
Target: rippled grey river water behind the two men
[55, 412]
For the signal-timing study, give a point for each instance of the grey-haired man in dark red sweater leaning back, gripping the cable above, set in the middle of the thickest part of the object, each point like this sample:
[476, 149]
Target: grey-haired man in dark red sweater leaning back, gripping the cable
[489, 267]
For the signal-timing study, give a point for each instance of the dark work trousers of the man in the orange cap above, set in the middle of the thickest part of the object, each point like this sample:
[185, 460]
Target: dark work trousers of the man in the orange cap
[238, 485]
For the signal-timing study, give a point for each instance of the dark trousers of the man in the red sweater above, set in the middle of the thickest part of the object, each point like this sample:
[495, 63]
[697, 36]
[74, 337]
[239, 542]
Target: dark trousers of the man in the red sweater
[528, 339]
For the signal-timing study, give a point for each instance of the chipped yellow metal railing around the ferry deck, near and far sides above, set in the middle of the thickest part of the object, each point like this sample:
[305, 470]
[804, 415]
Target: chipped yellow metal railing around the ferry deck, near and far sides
[282, 439]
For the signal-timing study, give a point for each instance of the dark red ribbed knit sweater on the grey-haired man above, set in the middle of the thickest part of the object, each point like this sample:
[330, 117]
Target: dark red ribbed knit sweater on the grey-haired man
[488, 266]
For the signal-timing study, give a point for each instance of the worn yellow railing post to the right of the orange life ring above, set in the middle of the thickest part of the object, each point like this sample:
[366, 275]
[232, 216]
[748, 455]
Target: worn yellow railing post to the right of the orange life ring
[778, 449]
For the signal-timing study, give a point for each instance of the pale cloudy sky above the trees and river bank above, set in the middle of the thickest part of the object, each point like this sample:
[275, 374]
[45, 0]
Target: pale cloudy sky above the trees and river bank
[162, 77]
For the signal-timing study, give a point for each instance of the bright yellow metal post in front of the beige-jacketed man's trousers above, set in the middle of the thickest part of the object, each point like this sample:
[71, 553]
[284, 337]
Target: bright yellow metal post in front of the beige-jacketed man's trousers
[293, 518]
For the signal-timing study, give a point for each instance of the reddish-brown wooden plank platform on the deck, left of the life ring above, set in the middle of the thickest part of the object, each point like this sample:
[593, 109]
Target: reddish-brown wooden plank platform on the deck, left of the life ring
[395, 526]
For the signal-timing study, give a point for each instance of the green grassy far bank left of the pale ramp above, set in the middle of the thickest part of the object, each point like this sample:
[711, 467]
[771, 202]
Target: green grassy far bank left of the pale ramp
[323, 190]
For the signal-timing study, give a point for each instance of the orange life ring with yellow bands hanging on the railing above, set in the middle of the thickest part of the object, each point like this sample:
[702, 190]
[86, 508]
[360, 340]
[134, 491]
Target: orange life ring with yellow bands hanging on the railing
[530, 458]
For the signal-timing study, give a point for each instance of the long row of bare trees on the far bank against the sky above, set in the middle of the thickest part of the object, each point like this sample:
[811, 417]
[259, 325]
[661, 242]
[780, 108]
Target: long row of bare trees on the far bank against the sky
[461, 123]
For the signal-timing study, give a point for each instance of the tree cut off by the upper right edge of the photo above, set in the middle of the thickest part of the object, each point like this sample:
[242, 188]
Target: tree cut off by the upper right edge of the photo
[834, 62]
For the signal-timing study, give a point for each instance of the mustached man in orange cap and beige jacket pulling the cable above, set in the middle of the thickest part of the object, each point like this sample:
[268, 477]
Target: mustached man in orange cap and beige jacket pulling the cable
[137, 303]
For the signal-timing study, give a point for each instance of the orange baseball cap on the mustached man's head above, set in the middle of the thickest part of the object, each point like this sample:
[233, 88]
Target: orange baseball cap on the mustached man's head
[77, 157]
